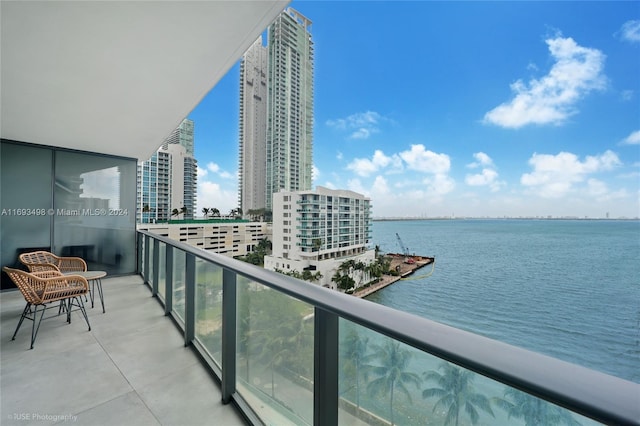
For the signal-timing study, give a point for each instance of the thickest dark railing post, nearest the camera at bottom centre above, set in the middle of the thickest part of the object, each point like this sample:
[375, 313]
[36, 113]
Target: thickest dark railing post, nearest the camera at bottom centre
[325, 371]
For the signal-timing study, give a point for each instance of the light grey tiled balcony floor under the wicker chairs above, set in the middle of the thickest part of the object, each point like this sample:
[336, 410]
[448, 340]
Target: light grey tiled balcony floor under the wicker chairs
[131, 369]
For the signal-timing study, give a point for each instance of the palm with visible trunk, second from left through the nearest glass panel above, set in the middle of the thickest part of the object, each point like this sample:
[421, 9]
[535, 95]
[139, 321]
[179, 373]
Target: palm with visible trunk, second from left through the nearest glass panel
[391, 372]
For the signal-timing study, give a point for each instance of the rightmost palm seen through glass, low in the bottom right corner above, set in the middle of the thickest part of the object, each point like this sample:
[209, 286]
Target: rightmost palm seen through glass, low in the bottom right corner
[532, 410]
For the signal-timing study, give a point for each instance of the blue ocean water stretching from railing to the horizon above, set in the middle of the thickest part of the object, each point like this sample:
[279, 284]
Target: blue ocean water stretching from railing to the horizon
[566, 288]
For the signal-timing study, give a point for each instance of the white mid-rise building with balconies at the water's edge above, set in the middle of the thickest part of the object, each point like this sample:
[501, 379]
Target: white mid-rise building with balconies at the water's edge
[320, 230]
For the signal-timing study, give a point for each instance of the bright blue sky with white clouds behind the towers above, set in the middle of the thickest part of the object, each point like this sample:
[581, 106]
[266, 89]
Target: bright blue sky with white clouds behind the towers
[477, 109]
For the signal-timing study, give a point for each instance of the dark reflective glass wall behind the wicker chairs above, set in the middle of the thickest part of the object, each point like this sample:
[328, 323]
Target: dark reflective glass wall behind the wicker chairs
[69, 203]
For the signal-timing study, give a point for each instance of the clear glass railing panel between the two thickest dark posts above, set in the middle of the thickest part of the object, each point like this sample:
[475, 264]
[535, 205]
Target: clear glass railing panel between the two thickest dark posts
[274, 354]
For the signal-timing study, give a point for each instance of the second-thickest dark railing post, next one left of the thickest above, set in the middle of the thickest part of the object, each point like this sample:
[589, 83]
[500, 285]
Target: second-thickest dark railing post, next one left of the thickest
[229, 324]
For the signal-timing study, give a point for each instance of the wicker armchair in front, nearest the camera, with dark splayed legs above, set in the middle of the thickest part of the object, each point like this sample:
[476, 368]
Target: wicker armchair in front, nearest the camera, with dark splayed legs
[39, 289]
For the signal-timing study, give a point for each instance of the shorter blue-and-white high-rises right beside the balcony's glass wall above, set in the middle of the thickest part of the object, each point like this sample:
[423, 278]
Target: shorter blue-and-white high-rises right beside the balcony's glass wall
[168, 180]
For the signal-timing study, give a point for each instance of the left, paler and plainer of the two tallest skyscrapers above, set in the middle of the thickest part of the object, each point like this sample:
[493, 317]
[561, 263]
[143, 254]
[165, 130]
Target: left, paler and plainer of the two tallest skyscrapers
[253, 128]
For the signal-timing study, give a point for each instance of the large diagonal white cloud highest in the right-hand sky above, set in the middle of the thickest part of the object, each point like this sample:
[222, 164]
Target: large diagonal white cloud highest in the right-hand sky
[551, 100]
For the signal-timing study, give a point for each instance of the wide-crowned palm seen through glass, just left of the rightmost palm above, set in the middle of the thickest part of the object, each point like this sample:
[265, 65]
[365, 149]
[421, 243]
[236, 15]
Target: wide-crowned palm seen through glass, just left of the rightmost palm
[456, 393]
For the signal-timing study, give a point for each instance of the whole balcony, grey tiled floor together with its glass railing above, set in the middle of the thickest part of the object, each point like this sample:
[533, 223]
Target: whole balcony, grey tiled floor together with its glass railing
[277, 350]
